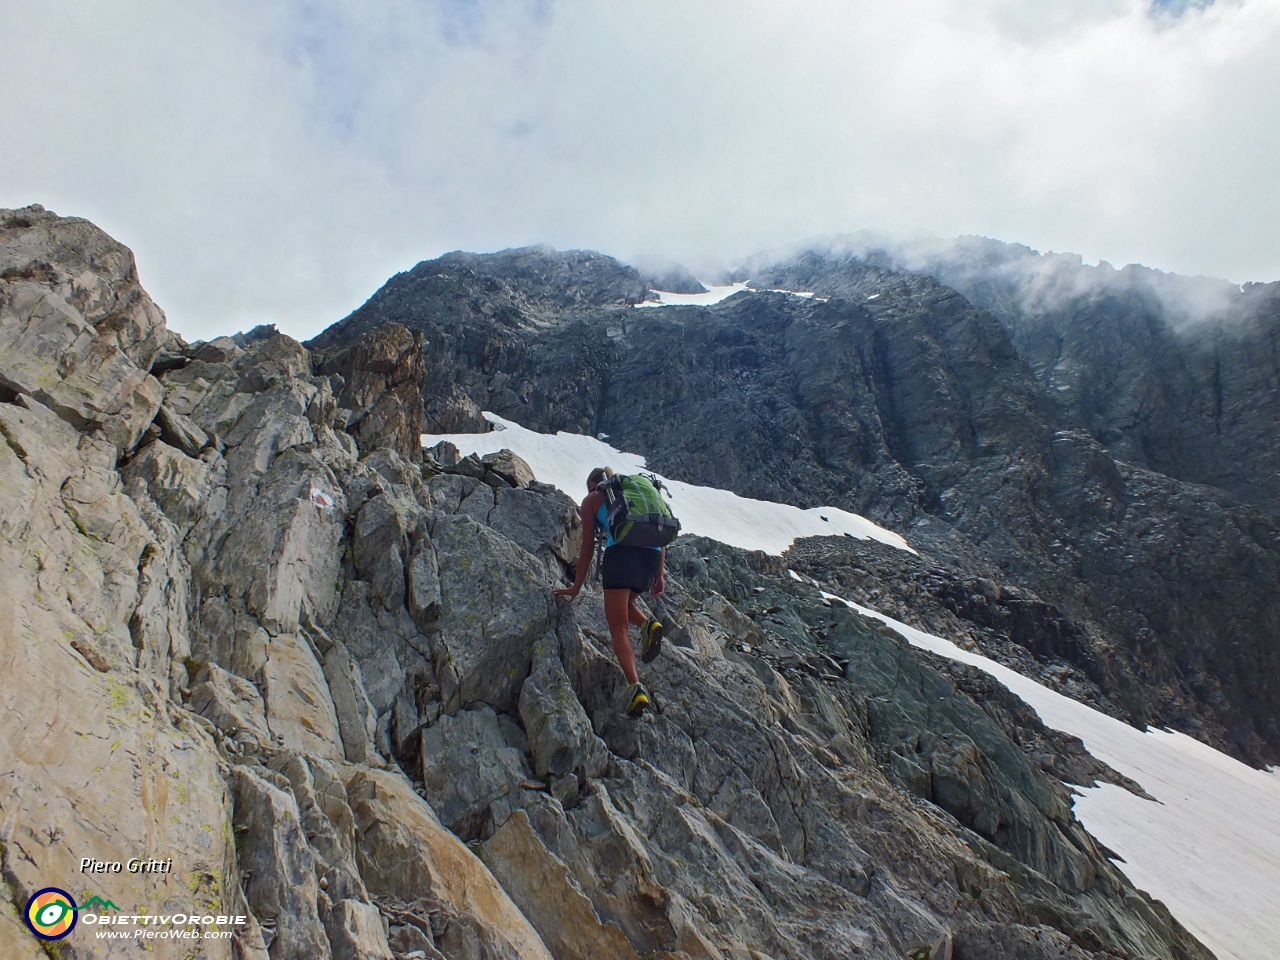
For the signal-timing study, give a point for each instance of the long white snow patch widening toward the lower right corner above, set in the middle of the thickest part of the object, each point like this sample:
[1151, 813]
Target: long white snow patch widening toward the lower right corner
[1210, 848]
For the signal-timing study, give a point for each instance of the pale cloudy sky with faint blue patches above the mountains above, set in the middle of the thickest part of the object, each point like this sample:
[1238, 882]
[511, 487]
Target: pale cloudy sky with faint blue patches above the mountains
[275, 162]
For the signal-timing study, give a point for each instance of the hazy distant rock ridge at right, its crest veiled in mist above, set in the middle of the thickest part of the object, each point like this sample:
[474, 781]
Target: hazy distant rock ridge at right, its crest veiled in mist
[1176, 374]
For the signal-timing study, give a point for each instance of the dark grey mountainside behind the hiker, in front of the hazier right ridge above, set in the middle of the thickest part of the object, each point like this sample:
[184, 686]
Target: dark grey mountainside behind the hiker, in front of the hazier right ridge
[894, 396]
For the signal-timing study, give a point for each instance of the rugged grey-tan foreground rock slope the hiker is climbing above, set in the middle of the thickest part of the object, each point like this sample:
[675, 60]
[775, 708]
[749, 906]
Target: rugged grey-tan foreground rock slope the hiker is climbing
[248, 629]
